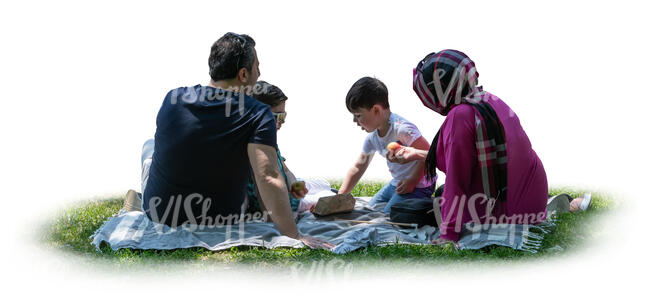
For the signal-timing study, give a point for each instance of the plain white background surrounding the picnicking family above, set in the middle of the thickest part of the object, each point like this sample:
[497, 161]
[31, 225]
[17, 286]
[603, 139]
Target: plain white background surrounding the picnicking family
[82, 83]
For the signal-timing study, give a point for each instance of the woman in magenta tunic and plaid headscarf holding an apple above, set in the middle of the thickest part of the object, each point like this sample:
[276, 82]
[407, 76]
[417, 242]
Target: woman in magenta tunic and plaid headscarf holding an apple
[493, 175]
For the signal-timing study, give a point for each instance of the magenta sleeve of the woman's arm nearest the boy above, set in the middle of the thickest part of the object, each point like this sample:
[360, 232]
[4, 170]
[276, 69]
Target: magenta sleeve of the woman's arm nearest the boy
[459, 153]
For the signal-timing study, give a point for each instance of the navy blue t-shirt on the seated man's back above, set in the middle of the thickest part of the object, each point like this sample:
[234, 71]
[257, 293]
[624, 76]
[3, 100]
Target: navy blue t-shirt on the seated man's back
[201, 152]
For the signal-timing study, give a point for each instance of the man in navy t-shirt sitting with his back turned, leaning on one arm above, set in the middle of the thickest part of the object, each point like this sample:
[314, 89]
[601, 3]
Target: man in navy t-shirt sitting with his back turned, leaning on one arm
[209, 140]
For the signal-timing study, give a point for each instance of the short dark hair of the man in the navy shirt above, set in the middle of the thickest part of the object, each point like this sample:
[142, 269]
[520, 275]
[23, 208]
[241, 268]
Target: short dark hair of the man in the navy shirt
[229, 54]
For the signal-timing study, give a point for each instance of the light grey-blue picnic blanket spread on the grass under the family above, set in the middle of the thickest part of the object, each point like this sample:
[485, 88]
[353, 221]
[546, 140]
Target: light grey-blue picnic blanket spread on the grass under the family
[135, 230]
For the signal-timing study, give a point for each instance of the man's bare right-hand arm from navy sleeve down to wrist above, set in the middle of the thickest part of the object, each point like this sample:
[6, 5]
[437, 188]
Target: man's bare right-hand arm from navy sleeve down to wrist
[272, 189]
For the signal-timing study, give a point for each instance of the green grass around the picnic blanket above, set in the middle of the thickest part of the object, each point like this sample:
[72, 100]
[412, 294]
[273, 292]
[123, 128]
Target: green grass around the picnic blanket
[70, 231]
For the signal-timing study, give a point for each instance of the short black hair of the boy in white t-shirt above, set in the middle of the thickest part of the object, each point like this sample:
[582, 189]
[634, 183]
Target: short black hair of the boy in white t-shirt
[365, 93]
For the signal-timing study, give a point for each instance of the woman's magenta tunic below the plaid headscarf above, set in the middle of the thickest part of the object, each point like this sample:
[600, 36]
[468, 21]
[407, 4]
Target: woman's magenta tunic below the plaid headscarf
[457, 158]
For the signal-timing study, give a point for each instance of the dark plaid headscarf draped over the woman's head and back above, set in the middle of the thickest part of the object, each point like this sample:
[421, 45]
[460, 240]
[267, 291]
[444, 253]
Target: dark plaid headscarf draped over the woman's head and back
[448, 78]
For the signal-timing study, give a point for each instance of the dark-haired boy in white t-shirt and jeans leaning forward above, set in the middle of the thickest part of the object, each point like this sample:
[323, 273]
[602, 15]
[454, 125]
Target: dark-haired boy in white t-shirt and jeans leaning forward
[367, 100]
